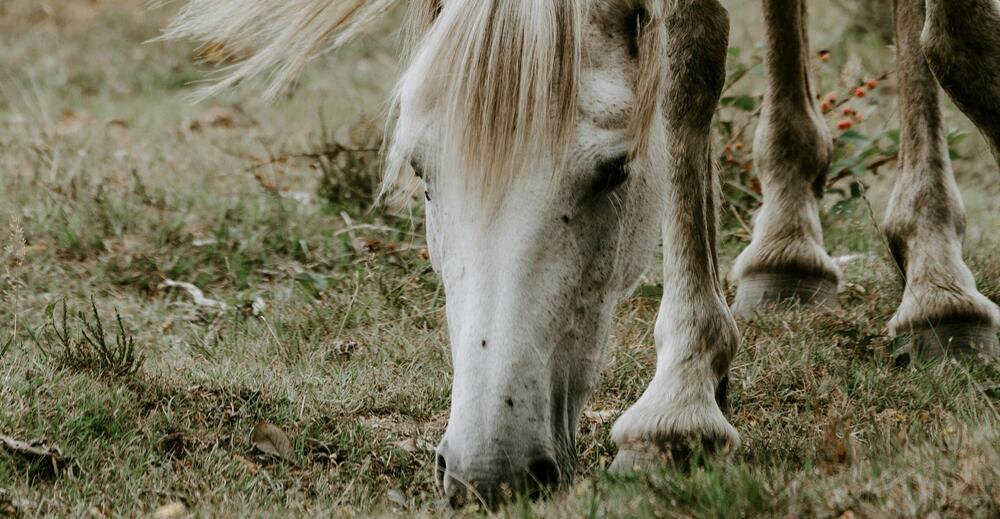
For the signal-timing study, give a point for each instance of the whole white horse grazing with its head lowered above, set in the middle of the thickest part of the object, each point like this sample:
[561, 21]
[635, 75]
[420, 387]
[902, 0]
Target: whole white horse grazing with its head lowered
[559, 140]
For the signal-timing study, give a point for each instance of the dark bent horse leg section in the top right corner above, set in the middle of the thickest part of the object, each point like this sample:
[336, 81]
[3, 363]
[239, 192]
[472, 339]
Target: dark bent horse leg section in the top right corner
[961, 41]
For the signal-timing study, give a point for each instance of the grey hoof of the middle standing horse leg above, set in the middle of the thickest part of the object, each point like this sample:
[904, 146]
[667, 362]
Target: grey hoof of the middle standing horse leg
[757, 292]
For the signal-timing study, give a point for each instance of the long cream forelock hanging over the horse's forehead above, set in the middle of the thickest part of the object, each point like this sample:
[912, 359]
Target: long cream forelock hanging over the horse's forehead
[503, 78]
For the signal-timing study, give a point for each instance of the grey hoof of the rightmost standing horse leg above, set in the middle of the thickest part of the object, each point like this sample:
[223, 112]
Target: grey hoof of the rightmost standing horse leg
[957, 340]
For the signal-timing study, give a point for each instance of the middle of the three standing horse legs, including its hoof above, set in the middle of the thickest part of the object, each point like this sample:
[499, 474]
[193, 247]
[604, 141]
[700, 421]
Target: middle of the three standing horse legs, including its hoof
[786, 259]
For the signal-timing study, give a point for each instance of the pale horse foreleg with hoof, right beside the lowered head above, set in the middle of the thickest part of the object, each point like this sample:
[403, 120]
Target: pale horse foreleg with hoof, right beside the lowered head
[695, 333]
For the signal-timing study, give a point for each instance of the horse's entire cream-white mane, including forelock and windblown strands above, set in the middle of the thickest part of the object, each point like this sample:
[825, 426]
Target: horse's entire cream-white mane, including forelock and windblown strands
[500, 75]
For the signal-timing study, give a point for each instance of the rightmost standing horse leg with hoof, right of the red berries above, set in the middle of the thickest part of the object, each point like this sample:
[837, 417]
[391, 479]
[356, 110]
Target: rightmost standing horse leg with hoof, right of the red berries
[941, 309]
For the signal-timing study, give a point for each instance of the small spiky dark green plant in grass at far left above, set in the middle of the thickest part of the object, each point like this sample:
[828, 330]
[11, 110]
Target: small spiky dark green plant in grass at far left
[83, 346]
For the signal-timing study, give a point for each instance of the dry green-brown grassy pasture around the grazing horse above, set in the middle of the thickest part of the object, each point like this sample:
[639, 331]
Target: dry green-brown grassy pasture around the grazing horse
[322, 317]
